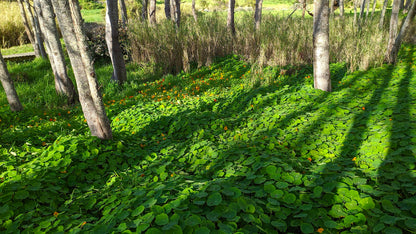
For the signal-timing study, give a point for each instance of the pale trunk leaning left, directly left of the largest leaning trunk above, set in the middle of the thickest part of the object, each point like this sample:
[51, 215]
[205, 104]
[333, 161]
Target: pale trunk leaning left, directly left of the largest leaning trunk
[46, 15]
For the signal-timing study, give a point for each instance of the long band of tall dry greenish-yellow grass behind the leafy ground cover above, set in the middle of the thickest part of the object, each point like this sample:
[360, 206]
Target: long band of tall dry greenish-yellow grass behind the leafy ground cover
[280, 42]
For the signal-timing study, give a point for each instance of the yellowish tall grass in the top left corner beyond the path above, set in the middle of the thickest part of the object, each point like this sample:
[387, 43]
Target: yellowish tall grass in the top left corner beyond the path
[12, 31]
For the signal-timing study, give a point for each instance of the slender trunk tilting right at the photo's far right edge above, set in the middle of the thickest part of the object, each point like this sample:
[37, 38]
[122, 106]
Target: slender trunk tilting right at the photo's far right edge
[392, 54]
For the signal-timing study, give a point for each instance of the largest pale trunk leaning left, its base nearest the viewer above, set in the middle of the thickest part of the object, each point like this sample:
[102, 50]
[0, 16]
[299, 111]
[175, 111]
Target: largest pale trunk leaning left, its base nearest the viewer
[70, 21]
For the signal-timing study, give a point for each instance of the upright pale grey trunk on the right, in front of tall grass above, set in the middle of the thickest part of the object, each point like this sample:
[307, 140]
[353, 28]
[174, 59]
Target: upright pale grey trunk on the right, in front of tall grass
[321, 72]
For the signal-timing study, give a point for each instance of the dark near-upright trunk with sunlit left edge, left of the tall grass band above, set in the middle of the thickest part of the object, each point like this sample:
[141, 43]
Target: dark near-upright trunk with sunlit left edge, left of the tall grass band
[114, 48]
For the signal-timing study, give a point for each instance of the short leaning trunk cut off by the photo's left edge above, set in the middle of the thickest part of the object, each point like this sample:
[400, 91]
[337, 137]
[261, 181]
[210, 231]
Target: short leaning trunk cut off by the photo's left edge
[8, 87]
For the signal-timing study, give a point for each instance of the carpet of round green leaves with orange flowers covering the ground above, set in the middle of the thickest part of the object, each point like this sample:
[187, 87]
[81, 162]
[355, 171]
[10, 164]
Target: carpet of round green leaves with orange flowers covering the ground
[222, 149]
